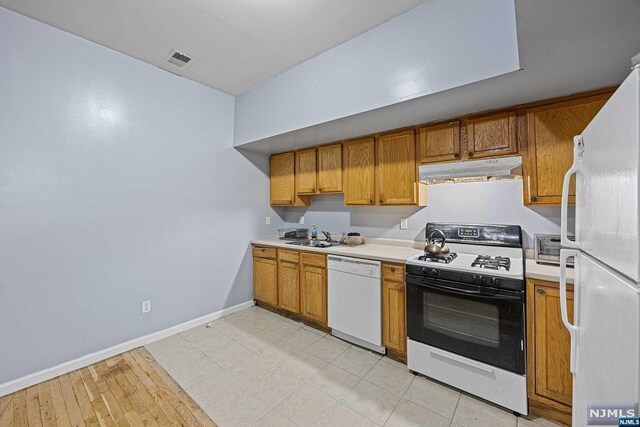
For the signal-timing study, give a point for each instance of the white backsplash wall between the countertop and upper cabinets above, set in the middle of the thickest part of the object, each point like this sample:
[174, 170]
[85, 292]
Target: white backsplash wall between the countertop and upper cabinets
[496, 202]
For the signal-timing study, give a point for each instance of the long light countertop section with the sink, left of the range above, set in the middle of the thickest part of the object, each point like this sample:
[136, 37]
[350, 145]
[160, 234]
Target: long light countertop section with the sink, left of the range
[387, 250]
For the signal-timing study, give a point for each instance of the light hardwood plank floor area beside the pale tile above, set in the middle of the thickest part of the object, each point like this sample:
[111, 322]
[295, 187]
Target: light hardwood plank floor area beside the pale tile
[130, 389]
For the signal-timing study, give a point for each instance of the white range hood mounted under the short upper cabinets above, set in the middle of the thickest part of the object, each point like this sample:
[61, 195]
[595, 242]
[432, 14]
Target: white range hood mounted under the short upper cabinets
[504, 166]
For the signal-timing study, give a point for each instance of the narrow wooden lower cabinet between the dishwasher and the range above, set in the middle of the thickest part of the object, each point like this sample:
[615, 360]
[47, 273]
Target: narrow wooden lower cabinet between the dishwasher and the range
[394, 330]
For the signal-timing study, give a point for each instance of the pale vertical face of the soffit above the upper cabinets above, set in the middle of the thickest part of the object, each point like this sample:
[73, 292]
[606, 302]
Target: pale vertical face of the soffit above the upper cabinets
[439, 45]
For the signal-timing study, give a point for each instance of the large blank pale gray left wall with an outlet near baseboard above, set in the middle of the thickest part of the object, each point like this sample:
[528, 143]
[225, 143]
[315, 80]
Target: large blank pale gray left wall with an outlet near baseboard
[118, 183]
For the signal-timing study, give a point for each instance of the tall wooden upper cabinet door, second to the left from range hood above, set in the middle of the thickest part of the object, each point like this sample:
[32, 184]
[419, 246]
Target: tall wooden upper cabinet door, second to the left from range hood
[359, 172]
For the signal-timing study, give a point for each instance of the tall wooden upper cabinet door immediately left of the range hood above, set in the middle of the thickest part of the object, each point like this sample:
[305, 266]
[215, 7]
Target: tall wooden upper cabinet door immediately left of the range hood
[397, 168]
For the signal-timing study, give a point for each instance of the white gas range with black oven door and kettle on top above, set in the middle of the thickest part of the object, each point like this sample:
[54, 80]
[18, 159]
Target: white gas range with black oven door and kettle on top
[465, 312]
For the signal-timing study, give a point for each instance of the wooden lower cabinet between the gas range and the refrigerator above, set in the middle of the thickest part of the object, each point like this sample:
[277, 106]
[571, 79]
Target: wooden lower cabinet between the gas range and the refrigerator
[548, 352]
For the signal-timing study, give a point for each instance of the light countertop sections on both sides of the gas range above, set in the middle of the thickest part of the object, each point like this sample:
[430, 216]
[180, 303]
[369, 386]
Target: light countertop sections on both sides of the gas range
[391, 250]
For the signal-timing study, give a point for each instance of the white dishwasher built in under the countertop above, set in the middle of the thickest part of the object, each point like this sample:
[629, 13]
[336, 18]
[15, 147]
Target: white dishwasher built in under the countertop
[355, 301]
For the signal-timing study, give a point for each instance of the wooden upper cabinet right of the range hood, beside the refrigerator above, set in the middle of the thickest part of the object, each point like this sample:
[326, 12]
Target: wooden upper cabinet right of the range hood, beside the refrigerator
[550, 132]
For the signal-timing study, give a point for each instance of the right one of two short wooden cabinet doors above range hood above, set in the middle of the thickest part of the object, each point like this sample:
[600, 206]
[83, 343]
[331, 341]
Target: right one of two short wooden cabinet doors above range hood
[493, 135]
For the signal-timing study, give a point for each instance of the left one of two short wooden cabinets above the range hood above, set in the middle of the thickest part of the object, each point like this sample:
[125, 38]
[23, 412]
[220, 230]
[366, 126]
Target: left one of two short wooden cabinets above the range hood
[439, 143]
